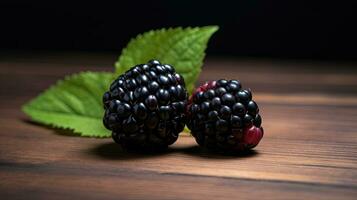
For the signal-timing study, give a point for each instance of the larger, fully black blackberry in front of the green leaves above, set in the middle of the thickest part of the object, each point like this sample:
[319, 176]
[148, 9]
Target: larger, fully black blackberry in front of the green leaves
[145, 106]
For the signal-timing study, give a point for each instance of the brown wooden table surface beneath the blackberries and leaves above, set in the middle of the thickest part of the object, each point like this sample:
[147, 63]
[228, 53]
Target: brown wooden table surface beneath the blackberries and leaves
[309, 149]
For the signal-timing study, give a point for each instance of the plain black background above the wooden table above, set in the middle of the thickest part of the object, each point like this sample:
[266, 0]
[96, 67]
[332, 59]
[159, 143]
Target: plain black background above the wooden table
[279, 29]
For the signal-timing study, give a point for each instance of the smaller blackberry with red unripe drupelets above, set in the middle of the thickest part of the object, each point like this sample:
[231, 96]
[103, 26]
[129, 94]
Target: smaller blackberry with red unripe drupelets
[222, 115]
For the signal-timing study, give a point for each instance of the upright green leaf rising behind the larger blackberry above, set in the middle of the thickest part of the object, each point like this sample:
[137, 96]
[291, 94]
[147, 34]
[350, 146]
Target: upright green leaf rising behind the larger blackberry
[182, 48]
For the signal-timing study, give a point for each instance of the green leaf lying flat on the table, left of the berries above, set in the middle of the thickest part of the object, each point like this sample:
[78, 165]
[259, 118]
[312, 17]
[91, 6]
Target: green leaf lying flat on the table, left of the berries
[74, 103]
